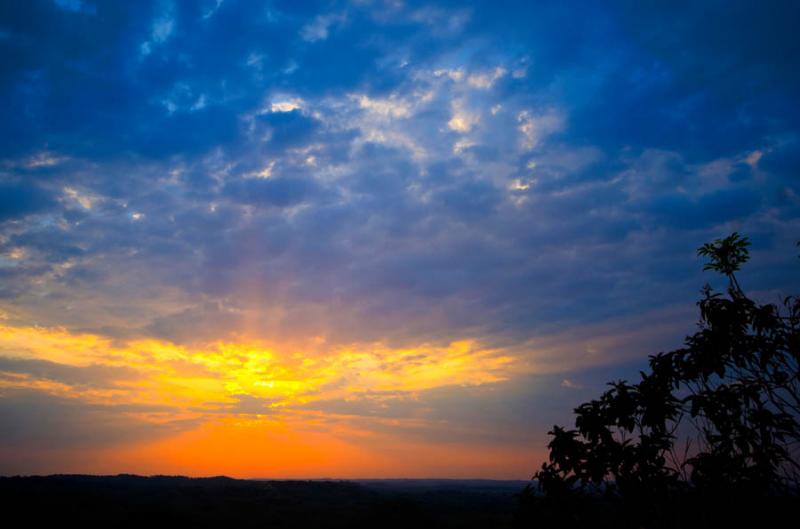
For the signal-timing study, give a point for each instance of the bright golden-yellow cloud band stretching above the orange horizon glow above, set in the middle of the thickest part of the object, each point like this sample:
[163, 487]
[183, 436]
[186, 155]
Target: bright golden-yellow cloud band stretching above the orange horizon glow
[217, 373]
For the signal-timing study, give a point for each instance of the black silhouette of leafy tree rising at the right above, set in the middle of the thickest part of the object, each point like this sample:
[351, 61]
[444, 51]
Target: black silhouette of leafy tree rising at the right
[717, 417]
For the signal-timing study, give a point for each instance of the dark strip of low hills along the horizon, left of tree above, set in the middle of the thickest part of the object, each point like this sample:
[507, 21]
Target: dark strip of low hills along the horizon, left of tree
[134, 501]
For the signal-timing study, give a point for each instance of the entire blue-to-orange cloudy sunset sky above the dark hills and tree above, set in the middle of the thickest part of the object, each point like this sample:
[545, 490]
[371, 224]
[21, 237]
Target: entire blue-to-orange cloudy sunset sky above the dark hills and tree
[368, 238]
